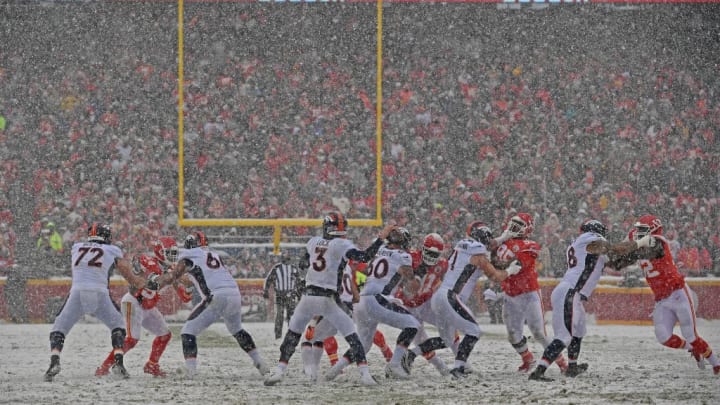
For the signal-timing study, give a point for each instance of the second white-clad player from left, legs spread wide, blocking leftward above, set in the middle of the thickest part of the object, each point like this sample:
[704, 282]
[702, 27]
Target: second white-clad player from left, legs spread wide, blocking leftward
[220, 299]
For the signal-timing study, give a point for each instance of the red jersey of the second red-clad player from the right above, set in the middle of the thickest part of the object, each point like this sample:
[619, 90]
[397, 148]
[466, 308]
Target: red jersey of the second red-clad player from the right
[526, 252]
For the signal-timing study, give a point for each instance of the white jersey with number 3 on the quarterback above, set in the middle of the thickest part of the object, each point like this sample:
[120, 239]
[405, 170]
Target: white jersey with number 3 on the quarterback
[327, 261]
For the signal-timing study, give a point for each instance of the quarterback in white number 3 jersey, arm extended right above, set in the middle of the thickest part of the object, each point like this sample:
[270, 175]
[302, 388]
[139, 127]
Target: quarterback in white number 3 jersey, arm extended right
[327, 256]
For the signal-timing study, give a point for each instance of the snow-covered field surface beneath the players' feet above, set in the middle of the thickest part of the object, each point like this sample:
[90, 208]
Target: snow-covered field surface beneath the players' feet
[627, 365]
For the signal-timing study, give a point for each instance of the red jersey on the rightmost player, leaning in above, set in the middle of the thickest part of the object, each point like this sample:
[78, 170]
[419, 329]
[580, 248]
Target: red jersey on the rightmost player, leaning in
[662, 274]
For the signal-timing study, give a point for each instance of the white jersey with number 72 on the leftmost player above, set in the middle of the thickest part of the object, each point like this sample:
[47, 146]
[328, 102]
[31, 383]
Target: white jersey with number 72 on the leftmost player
[92, 264]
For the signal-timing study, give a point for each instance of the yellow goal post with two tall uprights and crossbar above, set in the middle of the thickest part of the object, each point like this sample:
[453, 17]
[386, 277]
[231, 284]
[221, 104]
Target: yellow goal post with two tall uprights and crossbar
[276, 223]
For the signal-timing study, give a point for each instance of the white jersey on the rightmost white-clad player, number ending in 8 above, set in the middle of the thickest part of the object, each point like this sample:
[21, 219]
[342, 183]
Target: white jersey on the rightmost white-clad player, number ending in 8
[584, 269]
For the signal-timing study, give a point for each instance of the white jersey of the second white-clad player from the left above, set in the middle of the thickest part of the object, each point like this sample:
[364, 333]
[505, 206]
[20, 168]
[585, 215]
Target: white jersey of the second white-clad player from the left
[213, 272]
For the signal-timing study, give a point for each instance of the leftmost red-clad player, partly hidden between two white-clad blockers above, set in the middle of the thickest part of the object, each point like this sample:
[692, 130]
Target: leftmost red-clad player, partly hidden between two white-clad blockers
[139, 306]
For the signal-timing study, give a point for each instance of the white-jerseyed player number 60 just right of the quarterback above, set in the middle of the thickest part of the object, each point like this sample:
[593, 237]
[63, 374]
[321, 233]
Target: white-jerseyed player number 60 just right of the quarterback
[391, 267]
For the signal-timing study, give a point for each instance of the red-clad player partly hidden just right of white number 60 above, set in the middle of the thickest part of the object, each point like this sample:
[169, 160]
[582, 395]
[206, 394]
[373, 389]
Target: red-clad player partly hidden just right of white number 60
[430, 268]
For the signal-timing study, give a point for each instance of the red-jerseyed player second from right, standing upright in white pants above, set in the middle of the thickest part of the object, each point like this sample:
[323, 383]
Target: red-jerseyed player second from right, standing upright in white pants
[523, 303]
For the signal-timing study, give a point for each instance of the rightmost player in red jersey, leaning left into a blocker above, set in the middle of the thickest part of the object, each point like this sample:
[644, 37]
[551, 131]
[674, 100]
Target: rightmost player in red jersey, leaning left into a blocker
[673, 298]
